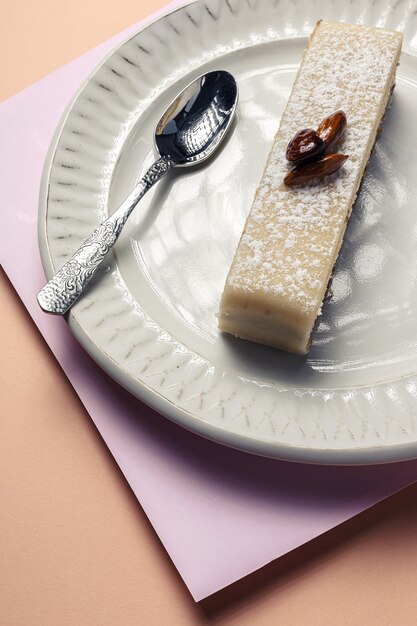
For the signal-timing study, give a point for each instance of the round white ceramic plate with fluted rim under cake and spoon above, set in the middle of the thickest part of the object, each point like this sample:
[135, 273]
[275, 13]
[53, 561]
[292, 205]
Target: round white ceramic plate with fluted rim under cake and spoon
[149, 318]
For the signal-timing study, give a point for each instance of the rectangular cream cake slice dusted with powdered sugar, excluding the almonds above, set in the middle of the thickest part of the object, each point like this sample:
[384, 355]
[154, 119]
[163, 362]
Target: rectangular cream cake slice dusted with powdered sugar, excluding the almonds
[279, 275]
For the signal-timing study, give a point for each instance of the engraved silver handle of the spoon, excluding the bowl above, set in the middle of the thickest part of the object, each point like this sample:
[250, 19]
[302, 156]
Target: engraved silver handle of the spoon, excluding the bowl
[65, 287]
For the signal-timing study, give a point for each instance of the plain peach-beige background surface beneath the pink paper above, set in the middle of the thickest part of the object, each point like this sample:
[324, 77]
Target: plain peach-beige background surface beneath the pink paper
[75, 546]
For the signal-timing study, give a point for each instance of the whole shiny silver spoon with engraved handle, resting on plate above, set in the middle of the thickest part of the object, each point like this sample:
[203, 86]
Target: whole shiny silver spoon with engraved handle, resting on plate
[189, 132]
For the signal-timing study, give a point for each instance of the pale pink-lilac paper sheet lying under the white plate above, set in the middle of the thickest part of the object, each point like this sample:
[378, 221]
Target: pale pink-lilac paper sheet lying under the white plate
[220, 513]
